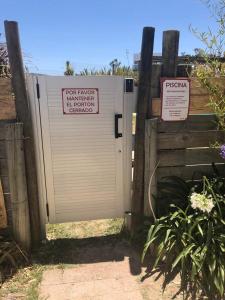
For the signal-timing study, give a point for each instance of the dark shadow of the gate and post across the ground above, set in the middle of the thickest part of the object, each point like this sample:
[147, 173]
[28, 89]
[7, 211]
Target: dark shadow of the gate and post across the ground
[73, 251]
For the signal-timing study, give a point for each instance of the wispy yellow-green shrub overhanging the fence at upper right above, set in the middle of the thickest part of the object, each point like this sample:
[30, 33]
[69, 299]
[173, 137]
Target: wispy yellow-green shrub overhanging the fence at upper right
[211, 73]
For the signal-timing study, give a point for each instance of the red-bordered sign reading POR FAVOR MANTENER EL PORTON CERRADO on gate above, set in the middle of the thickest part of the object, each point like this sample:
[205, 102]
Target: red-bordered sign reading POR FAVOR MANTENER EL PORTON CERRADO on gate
[80, 100]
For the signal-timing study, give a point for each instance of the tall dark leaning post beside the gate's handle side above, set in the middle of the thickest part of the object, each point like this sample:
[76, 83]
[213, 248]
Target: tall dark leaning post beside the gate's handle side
[143, 109]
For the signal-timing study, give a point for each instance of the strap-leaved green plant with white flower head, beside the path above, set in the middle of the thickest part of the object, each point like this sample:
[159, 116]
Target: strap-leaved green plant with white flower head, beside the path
[191, 241]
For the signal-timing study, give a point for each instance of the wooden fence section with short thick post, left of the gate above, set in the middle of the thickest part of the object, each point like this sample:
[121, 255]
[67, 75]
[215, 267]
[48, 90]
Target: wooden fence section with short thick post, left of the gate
[12, 169]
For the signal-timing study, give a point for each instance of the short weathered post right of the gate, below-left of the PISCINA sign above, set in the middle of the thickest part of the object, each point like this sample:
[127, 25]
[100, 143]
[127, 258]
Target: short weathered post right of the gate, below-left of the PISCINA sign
[151, 148]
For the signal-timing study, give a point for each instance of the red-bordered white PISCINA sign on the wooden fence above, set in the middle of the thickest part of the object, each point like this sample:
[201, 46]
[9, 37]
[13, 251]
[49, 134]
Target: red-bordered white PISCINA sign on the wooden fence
[175, 96]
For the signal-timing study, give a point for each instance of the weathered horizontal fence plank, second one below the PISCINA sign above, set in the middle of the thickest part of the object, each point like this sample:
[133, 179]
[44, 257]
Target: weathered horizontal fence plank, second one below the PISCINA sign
[190, 139]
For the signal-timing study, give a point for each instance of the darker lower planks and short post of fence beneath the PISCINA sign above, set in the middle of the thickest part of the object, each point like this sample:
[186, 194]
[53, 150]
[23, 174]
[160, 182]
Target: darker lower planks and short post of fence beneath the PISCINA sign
[185, 149]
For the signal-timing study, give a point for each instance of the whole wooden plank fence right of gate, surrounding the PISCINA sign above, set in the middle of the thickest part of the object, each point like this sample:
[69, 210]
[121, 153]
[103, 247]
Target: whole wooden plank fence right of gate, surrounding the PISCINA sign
[184, 148]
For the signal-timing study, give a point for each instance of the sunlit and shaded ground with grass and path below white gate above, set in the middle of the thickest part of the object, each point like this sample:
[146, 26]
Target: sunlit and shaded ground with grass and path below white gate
[87, 260]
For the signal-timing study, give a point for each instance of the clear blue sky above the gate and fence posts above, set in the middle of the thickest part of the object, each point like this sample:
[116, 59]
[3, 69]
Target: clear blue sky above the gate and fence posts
[92, 33]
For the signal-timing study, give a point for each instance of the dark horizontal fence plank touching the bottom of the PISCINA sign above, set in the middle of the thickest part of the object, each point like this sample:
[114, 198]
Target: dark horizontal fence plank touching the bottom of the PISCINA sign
[193, 123]
